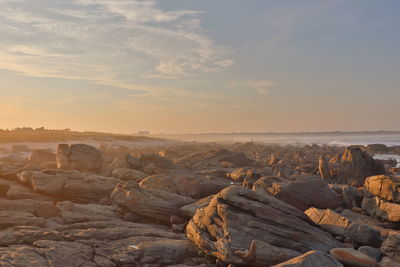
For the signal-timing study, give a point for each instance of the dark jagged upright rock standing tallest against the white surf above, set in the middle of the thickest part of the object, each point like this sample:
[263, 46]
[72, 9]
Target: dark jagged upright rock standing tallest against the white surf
[356, 165]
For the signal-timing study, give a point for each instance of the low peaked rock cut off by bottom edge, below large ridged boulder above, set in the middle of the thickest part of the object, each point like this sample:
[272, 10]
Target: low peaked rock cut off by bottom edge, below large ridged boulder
[312, 258]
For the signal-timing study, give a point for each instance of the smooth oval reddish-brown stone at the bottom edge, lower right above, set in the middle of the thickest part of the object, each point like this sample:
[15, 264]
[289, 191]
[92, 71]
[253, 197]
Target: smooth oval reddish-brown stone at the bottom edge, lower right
[353, 258]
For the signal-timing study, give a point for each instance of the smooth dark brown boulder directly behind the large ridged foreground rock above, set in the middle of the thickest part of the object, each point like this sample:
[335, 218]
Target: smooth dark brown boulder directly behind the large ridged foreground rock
[302, 193]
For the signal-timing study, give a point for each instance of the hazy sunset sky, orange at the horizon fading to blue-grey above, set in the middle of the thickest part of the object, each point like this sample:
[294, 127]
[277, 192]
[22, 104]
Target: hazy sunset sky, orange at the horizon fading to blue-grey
[190, 66]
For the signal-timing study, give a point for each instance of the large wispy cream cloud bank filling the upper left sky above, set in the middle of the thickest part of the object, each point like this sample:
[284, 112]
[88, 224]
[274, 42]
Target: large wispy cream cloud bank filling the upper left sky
[116, 42]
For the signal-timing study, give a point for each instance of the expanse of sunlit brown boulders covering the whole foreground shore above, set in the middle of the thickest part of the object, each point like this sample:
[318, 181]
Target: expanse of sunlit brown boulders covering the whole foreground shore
[199, 204]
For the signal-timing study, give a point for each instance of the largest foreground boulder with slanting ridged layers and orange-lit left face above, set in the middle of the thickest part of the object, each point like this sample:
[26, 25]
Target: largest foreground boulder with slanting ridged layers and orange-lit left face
[237, 216]
